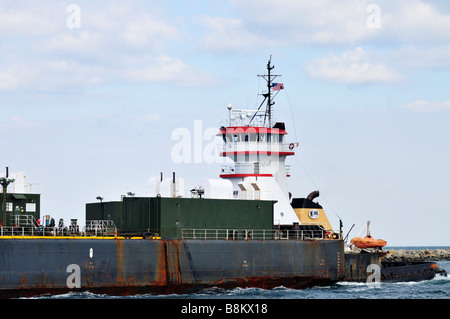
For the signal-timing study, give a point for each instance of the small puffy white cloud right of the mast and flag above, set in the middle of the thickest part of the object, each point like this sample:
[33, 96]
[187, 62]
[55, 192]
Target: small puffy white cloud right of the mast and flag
[352, 67]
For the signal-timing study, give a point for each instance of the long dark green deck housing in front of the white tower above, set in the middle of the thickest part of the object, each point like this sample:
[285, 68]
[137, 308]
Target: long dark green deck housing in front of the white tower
[168, 216]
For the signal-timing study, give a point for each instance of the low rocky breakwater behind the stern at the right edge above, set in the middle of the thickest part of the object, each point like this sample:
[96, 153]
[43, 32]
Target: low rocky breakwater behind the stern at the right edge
[411, 255]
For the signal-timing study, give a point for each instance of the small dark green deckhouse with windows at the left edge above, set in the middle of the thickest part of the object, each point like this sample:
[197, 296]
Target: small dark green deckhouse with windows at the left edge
[21, 205]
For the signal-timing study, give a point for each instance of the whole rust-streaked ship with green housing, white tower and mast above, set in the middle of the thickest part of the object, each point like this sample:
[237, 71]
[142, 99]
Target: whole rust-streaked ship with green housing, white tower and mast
[243, 229]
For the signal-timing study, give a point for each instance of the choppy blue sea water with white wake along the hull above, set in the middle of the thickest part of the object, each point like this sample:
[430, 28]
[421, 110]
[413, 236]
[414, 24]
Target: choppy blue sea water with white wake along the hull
[436, 288]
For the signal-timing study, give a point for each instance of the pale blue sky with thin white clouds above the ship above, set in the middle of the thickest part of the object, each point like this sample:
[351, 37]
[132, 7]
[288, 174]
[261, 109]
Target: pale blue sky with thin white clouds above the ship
[93, 93]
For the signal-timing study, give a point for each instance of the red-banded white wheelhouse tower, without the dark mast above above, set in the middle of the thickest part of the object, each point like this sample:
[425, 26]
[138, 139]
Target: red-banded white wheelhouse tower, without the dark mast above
[259, 153]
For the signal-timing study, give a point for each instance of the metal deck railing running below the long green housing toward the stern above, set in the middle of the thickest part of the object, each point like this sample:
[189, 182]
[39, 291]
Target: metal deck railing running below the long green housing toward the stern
[258, 234]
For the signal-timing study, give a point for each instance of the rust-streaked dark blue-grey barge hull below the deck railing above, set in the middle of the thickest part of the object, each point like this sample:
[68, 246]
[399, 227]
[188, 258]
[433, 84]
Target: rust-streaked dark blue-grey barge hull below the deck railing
[121, 267]
